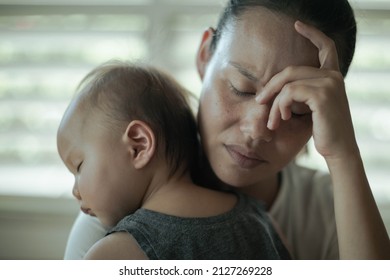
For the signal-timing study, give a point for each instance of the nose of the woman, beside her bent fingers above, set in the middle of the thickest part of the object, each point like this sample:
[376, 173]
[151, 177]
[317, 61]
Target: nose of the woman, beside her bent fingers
[254, 123]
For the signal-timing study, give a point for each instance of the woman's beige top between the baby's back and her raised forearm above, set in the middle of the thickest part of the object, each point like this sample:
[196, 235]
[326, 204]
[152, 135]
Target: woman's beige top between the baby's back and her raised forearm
[304, 212]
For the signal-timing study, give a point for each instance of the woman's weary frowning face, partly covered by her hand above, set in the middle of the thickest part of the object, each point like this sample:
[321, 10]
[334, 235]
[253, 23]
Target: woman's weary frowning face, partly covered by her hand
[241, 150]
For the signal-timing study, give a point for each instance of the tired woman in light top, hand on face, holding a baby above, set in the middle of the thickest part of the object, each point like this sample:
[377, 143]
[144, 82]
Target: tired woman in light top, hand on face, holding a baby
[271, 82]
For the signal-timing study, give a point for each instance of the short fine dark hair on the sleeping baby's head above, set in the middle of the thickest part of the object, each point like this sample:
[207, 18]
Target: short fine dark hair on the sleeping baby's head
[126, 91]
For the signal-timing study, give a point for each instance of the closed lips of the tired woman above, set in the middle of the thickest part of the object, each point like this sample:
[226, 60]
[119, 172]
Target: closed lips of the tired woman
[244, 158]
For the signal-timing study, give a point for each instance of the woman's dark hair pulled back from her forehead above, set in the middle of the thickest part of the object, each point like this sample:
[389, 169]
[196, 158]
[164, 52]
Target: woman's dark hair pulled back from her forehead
[333, 17]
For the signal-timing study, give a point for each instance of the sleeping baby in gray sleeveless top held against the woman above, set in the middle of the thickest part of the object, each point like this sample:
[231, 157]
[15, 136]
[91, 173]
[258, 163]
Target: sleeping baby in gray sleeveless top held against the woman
[129, 137]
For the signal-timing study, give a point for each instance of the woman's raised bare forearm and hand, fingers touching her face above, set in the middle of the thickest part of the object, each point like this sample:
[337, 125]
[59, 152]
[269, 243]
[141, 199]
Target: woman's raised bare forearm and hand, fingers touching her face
[360, 229]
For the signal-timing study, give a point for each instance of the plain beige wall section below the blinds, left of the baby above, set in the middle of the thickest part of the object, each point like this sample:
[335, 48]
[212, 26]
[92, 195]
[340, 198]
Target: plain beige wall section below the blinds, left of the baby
[35, 228]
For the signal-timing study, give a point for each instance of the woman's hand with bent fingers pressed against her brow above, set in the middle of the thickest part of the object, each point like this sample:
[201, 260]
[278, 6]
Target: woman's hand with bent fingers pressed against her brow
[316, 91]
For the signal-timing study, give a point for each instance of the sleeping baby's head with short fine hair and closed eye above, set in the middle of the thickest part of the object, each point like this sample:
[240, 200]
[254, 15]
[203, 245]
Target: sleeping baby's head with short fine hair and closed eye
[123, 109]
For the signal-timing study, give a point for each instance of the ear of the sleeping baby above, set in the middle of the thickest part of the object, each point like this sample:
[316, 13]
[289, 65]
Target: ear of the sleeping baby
[141, 143]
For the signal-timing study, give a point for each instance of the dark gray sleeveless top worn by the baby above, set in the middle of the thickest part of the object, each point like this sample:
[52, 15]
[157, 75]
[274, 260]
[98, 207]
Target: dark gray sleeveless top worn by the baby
[245, 232]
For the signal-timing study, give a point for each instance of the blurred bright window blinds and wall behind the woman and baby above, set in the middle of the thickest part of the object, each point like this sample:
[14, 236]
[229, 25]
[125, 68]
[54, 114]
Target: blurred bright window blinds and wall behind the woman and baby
[46, 47]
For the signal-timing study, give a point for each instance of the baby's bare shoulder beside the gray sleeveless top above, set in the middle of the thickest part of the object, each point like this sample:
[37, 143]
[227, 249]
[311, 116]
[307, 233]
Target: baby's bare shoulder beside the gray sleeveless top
[116, 246]
